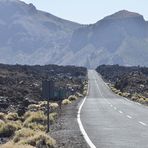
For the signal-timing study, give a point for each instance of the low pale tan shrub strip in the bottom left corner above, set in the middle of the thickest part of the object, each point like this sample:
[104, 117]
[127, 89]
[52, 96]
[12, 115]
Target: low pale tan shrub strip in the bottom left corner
[14, 145]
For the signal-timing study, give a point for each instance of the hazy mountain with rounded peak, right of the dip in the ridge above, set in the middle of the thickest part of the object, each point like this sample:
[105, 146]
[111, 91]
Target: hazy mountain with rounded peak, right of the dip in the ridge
[121, 38]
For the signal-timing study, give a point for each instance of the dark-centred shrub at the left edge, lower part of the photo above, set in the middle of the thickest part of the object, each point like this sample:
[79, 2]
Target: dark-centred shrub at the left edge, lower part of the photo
[8, 129]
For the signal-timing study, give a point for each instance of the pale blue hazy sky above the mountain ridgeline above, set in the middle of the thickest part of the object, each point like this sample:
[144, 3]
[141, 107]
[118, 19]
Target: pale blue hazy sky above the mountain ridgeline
[89, 11]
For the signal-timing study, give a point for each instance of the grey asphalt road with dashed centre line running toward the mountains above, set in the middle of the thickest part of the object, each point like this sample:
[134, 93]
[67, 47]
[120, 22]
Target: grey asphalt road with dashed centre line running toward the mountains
[111, 121]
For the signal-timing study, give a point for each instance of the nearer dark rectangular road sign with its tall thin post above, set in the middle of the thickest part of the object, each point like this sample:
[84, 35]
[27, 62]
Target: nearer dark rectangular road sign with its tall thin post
[48, 94]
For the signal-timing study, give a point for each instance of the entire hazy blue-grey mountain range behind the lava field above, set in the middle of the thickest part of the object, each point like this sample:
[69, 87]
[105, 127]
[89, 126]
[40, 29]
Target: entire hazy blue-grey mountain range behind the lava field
[30, 36]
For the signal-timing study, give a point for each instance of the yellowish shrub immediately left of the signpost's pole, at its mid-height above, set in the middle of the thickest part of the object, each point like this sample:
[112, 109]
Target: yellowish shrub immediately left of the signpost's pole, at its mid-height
[37, 117]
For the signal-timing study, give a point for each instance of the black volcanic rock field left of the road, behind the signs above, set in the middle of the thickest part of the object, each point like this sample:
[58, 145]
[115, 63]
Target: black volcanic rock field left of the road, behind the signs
[20, 85]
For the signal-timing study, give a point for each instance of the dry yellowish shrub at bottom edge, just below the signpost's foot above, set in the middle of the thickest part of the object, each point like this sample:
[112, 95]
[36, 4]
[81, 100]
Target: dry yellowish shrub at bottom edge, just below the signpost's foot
[40, 139]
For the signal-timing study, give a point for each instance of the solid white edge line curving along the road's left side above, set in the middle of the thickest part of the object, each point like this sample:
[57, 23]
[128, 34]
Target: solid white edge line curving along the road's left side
[87, 139]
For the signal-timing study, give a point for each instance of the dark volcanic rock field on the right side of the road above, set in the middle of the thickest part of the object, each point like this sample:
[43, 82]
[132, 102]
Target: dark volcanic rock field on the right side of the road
[126, 79]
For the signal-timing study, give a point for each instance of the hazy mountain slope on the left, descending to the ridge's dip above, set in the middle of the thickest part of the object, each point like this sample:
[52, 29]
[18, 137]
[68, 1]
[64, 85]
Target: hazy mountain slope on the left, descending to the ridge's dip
[30, 36]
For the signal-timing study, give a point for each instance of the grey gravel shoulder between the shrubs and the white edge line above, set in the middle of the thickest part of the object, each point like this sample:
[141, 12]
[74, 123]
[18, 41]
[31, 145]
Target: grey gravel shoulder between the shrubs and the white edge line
[66, 130]
